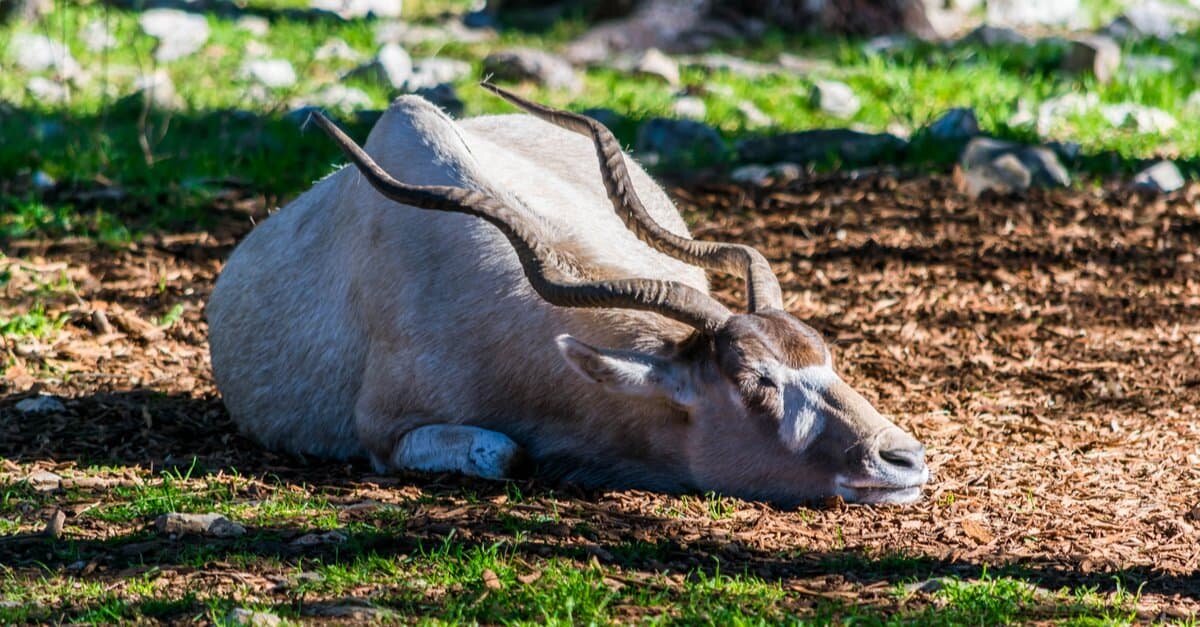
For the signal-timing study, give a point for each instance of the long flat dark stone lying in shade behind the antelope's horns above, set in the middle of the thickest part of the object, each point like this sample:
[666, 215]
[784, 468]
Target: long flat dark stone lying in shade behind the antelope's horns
[851, 148]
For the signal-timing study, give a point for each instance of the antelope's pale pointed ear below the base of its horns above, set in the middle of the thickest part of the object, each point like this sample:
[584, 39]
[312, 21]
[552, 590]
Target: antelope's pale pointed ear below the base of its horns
[627, 372]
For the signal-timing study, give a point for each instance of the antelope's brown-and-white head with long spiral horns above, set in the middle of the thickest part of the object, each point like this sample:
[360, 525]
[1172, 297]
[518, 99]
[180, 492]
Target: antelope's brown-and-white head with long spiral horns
[767, 416]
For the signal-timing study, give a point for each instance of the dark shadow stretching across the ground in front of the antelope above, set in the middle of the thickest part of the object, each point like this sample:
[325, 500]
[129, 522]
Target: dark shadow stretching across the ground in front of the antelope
[154, 431]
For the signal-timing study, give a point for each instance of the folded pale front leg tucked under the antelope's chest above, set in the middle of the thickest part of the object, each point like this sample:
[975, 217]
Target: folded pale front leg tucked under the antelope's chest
[459, 449]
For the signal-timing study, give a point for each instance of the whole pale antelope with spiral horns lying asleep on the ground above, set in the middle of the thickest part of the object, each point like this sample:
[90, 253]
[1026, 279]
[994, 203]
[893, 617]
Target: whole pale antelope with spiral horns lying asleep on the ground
[470, 297]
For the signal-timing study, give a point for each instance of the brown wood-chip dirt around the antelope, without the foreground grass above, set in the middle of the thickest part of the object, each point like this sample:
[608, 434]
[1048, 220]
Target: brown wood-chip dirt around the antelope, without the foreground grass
[1047, 351]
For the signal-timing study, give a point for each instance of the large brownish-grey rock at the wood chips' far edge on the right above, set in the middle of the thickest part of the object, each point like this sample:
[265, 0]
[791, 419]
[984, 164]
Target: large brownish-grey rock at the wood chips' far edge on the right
[1009, 168]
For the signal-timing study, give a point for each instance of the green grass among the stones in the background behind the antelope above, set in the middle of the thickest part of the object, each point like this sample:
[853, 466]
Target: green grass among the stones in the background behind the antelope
[169, 166]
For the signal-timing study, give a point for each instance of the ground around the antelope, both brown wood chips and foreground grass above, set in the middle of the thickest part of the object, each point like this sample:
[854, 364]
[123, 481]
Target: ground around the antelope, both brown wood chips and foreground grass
[1047, 350]
